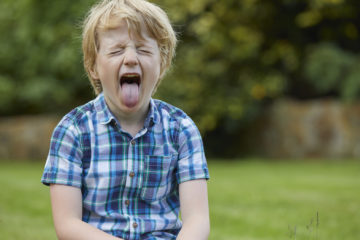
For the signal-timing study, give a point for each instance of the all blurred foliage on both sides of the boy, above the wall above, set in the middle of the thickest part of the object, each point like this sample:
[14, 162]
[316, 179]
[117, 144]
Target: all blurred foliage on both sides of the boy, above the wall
[233, 56]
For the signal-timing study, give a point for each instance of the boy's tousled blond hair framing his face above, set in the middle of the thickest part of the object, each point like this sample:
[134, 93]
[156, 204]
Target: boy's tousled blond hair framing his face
[108, 14]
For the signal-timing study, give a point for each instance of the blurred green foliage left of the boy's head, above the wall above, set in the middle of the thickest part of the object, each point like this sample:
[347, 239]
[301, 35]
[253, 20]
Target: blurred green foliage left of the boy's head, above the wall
[40, 55]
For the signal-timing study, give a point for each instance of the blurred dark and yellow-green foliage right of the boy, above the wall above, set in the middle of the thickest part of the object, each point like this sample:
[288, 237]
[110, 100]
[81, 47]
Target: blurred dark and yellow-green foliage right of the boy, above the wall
[234, 56]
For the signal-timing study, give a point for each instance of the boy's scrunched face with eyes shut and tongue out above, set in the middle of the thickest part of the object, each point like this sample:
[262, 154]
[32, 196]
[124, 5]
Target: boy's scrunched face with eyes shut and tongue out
[128, 68]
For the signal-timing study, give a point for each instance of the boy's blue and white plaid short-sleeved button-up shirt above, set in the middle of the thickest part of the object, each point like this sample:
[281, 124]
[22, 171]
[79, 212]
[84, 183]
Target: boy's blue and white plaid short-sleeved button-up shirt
[129, 184]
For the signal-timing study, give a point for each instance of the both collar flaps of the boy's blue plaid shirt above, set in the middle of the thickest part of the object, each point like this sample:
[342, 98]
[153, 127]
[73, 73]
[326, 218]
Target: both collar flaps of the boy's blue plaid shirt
[105, 116]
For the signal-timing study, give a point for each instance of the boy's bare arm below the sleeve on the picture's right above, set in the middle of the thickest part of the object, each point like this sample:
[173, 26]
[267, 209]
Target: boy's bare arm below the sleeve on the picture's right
[194, 210]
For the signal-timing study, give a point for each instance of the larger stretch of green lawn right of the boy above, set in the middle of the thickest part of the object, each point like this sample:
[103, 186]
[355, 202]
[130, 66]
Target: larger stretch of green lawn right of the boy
[264, 200]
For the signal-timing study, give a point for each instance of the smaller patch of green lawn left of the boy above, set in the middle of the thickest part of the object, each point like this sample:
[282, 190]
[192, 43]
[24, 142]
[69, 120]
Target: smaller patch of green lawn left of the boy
[24, 203]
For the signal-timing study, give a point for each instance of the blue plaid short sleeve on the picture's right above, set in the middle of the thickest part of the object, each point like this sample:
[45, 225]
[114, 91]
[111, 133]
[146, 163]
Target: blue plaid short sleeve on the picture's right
[191, 164]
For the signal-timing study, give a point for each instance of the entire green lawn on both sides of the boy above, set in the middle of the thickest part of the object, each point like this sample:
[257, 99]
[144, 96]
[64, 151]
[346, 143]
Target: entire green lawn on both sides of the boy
[249, 200]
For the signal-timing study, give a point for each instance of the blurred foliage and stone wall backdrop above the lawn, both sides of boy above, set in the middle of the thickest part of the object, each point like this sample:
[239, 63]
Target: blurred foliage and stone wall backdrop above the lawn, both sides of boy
[259, 78]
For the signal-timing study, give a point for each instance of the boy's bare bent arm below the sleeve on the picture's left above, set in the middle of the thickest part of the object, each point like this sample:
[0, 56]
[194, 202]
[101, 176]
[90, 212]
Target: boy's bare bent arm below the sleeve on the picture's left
[66, 204]
